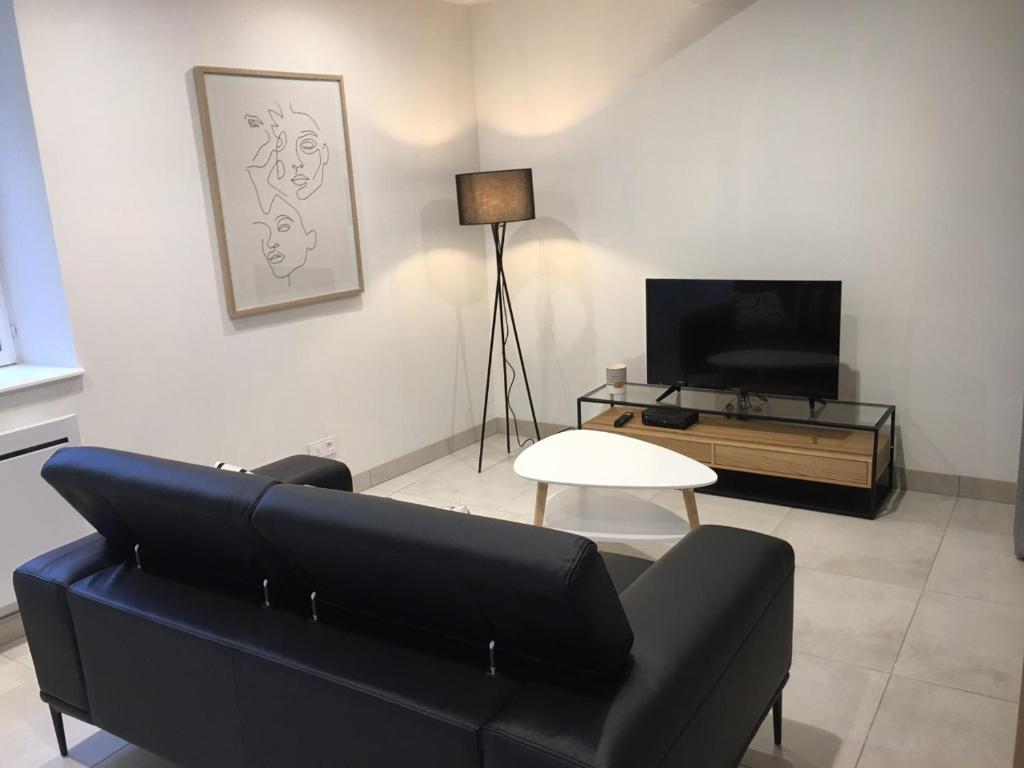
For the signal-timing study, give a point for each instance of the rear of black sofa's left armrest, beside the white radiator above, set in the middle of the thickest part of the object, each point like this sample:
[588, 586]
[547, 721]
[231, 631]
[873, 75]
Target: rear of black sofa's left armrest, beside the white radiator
[41, 587]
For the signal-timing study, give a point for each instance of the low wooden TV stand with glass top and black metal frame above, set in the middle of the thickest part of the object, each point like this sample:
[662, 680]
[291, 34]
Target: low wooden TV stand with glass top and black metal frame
[832, 456]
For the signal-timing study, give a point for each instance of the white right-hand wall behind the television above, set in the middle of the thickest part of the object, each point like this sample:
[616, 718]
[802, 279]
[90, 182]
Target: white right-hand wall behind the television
[880, 143]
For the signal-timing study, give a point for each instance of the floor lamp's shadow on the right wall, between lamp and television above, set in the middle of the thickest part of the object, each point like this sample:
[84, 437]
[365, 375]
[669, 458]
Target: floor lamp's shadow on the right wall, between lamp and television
[549, 277]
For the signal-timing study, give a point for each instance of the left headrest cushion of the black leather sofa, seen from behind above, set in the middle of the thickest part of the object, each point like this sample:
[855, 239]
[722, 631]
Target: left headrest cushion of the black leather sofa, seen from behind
[187, 520]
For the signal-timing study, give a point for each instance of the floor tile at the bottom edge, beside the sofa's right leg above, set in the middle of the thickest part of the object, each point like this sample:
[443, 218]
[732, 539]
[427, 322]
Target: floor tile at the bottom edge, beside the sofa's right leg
[827, 712]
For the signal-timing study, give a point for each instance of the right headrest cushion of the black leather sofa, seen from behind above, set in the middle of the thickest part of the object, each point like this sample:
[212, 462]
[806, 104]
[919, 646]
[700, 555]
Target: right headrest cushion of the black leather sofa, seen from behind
[539, 594]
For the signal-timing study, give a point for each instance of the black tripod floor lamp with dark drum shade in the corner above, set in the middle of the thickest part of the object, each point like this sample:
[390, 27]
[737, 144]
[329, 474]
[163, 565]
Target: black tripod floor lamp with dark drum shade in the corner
[496, 198]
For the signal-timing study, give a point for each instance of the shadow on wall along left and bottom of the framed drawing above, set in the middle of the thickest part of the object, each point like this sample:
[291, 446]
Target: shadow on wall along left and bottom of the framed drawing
[257, 322]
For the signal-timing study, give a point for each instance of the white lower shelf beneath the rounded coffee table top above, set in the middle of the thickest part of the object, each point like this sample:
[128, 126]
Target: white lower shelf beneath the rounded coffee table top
[608, 515]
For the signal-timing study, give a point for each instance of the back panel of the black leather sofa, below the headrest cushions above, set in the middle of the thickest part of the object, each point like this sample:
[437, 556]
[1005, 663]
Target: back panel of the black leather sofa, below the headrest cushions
[200, 677]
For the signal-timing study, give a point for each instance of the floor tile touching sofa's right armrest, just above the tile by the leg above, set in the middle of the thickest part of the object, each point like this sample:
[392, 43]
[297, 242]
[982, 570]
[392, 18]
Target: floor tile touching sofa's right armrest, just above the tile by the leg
[851, 620]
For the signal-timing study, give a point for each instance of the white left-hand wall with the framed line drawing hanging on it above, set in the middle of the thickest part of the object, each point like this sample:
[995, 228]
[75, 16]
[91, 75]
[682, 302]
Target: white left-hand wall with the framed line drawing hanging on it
[167, 372]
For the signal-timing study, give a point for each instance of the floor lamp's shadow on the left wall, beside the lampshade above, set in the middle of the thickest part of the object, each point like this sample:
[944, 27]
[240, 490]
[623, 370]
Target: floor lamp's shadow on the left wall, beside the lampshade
[455, 274]
